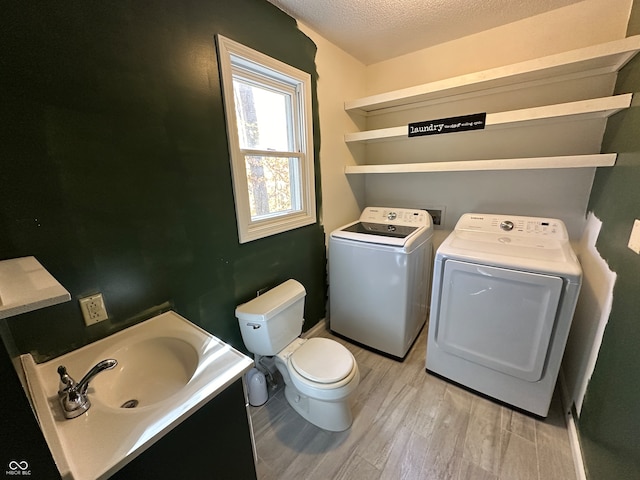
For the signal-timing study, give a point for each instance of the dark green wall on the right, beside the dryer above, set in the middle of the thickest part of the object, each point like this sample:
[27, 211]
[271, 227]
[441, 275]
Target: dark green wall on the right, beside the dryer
[609, 425]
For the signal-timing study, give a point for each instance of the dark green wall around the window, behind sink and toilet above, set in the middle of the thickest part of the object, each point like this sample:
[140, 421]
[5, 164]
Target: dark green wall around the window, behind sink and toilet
[114, 168]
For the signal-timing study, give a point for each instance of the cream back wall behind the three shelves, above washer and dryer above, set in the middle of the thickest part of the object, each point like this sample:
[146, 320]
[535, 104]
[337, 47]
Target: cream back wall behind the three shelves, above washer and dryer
[553, 193]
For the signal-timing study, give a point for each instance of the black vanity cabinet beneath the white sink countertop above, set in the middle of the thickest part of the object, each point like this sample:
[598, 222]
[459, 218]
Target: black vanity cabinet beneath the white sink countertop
[214, 442]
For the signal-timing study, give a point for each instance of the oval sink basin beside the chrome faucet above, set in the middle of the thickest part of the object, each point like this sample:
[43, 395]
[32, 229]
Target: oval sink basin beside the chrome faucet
[148, 371]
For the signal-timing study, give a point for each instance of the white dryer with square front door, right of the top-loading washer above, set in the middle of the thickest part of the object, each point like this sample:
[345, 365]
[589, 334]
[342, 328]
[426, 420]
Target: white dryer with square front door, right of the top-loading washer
[504, 293]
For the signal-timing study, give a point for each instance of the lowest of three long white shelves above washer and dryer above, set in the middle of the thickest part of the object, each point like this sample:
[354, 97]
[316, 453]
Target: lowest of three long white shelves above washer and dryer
[570, 161]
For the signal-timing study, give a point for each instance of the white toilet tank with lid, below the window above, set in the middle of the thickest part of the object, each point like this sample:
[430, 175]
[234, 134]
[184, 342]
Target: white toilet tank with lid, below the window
[270, 322]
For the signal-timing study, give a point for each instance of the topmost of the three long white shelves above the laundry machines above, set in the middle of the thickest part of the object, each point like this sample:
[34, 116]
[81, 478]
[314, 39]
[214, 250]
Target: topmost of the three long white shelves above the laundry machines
[581, 63]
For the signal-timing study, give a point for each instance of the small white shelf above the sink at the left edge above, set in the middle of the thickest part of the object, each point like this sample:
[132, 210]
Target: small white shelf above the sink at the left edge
[25, 285]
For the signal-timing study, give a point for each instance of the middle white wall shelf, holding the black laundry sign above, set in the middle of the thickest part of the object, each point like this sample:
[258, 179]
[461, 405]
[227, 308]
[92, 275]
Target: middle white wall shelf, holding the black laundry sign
[581, 110]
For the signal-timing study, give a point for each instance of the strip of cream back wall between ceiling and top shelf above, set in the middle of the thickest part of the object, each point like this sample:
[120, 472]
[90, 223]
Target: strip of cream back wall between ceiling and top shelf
[578, 25]
